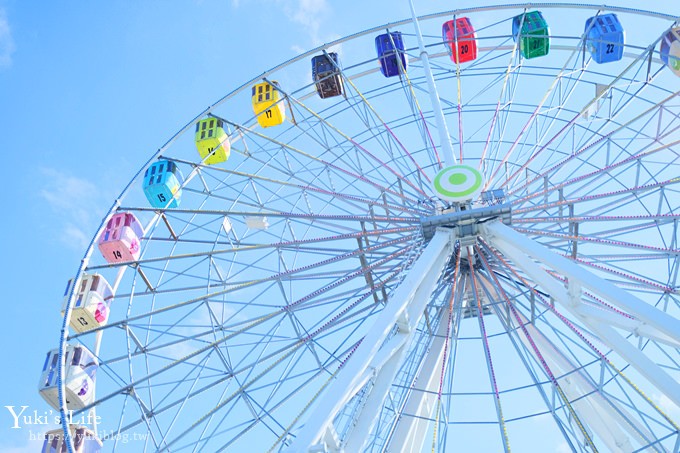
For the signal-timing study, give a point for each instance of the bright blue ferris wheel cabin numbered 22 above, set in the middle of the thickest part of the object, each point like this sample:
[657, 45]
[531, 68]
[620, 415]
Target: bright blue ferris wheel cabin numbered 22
[605, 38]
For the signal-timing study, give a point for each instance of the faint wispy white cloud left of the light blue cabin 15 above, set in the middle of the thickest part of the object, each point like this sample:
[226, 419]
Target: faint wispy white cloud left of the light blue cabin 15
[77, 205]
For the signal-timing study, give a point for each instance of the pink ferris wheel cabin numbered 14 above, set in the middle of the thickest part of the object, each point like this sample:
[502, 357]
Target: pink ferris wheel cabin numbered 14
[120, 239]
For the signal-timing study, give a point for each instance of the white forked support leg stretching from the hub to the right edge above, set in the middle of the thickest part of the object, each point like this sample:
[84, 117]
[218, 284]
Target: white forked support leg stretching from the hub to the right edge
[518, 248]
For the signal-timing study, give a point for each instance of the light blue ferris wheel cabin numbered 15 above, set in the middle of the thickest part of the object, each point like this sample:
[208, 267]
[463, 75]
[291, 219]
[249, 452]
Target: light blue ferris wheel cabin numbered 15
[162, 184]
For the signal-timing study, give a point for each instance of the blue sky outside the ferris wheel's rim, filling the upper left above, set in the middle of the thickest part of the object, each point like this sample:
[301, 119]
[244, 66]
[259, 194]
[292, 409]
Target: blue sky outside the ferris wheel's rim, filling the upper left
[88, 90]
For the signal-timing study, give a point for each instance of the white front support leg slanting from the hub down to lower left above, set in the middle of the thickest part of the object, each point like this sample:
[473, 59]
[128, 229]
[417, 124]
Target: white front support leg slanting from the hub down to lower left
[376, 358]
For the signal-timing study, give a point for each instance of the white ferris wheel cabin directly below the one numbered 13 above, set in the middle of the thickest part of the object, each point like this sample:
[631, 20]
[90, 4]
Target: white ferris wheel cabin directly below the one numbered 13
[81, 369]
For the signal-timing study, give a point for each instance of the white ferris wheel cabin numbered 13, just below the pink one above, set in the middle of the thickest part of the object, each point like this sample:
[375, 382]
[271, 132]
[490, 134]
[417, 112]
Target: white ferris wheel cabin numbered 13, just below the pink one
[92, 302]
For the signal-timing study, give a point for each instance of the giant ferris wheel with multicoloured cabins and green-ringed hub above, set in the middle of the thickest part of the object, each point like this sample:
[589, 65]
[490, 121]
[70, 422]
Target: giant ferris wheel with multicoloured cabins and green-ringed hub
[461, 234]
